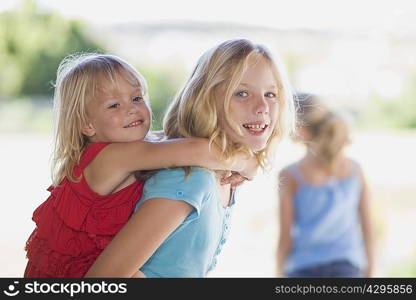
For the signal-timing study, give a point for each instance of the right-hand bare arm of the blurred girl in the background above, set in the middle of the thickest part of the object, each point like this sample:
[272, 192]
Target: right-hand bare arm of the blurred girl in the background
[366, 224]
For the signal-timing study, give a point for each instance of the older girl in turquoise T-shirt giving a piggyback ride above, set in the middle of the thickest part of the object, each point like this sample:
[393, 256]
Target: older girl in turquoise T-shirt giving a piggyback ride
[238, 98]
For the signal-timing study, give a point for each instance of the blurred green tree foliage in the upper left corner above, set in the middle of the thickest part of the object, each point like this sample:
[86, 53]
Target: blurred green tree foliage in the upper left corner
[31, 46]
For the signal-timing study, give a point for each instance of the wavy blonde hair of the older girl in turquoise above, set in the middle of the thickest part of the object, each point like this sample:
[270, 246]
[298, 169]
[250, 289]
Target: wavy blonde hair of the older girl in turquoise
[194, 111]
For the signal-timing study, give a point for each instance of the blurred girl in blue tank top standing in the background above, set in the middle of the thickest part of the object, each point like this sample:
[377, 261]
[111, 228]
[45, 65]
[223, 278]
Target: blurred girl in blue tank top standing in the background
[324, 203]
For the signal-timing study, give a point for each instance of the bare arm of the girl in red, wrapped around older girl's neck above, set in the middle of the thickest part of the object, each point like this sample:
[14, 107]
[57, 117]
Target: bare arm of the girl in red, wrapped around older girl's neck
[118, 160]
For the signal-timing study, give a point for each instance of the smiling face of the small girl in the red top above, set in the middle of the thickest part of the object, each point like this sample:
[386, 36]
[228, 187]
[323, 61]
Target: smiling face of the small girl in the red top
[118, 115]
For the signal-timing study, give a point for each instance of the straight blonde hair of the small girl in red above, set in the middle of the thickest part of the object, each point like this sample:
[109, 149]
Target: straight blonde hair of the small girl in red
[80, 77]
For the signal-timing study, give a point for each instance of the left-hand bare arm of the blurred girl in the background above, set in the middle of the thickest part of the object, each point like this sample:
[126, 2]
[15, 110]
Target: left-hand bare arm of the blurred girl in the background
[286, 191]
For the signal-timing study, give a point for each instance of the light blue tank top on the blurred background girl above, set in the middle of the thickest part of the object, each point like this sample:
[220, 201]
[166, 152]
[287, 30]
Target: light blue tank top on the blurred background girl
[326, 222]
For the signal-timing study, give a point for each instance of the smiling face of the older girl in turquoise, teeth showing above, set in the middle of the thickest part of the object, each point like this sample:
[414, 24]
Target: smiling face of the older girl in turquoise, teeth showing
[253, 106]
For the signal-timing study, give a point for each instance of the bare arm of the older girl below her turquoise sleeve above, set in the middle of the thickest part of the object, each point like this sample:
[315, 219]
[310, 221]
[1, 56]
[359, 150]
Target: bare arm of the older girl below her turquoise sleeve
[139, 238]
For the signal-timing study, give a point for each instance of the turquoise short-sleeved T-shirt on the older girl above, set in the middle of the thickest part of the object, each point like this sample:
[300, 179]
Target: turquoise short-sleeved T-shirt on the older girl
[191, 250]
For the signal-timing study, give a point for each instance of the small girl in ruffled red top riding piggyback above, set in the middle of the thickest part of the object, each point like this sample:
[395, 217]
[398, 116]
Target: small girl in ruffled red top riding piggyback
[103, 116]
